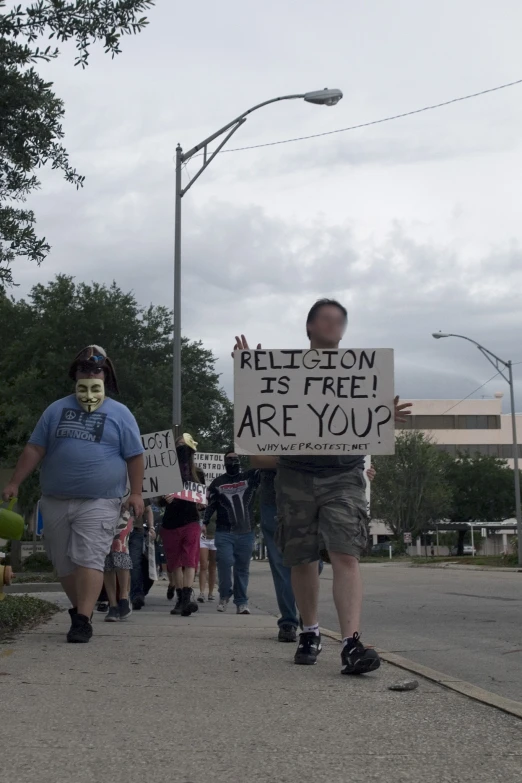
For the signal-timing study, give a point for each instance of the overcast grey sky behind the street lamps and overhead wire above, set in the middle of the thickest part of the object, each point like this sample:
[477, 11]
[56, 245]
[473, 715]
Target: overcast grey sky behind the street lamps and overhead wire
[413, 224]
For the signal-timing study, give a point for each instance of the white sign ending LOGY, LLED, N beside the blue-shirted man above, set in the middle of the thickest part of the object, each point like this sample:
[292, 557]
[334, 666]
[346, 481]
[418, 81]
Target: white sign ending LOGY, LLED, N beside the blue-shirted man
[162, 474]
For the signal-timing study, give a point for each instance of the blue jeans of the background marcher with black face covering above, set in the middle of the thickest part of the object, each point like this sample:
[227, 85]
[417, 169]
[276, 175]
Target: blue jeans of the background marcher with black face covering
[234, 551]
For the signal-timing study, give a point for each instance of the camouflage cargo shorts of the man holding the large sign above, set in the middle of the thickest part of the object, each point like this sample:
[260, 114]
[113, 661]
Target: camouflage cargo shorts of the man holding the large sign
[317, 513]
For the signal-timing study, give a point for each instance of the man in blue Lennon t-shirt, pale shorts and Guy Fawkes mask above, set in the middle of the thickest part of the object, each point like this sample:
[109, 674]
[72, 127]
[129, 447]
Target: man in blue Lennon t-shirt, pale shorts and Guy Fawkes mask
[87, 443]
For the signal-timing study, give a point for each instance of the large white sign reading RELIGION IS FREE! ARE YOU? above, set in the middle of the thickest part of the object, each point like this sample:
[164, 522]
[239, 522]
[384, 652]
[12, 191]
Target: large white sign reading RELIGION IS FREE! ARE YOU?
[329, 402]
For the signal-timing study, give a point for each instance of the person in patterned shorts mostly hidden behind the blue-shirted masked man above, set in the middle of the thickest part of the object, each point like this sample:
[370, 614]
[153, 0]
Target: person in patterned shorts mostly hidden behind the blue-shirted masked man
[118, 567]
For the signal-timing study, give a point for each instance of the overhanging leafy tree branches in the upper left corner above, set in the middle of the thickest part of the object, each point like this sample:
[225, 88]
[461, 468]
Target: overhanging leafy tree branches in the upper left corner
[31, 114]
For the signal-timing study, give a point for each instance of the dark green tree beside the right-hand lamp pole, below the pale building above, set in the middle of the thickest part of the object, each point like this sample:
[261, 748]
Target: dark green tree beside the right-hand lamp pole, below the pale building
[483, 491]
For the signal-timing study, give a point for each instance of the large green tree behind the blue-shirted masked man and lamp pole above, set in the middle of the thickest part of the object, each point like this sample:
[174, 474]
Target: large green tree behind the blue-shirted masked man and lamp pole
[43, 334]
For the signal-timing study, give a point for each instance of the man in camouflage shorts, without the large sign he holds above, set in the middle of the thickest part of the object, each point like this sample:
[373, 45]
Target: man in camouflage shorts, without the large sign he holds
[321, 505]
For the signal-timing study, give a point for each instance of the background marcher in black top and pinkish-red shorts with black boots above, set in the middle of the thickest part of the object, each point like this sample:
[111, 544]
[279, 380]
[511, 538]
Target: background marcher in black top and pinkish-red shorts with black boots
[181, 531]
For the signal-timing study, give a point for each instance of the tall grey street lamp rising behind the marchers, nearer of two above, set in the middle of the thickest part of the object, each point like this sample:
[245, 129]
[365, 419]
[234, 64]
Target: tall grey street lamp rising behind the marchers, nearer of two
[324, 97]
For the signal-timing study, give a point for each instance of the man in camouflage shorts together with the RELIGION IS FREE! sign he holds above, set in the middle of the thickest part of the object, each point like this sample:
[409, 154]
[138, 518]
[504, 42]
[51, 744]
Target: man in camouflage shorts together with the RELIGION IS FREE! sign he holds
[320, 484]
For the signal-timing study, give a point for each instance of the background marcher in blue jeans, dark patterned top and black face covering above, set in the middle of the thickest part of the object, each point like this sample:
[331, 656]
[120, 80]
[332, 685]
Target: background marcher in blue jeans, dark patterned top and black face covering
[232, 496]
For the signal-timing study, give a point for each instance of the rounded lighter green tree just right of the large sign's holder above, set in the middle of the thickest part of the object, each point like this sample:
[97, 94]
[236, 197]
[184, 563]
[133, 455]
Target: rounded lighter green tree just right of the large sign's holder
[411, 489]
